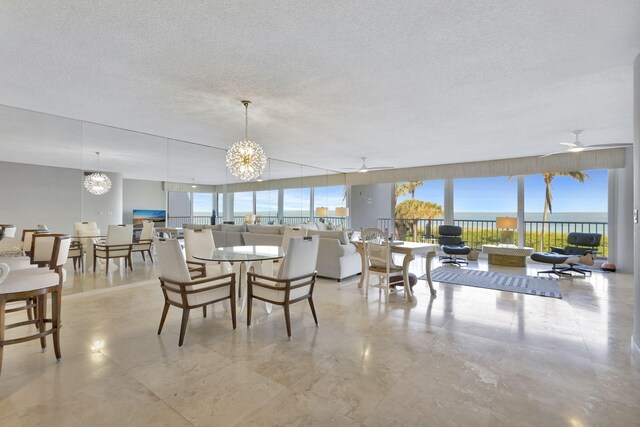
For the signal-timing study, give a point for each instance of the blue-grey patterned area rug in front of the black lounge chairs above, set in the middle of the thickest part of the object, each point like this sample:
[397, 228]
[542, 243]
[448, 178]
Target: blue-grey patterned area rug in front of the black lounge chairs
[541, 286]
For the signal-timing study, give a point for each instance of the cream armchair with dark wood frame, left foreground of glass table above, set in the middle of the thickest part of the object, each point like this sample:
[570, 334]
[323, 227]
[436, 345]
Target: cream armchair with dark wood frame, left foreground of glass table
[181, 291]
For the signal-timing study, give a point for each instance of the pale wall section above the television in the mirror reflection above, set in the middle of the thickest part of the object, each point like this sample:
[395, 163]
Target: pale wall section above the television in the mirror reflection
[140, 194]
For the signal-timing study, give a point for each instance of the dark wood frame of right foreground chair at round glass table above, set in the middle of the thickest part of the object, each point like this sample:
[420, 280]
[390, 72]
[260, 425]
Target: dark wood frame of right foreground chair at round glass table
[267, 282]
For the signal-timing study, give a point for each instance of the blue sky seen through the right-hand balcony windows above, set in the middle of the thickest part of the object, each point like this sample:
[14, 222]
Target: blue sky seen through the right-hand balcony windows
[499, 194]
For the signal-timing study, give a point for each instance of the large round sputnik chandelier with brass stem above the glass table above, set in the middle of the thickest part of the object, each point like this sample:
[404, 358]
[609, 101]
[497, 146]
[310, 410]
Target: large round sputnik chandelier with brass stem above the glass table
[245, 159]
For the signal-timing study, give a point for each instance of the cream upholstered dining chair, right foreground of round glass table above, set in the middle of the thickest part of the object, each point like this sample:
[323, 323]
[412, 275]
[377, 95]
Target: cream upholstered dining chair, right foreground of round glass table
[294, 283]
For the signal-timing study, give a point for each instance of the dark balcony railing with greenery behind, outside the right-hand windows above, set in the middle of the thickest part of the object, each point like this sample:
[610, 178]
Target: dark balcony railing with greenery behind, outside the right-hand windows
[478, 232]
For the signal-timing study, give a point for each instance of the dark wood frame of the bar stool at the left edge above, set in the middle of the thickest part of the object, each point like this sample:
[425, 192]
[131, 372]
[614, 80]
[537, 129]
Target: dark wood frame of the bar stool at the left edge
[40, 320]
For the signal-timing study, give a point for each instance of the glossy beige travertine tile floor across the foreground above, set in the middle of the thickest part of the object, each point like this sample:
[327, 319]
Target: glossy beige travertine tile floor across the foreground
[468, 357]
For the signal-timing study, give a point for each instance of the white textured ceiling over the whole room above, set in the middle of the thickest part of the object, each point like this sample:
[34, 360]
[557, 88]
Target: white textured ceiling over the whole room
[404, 83]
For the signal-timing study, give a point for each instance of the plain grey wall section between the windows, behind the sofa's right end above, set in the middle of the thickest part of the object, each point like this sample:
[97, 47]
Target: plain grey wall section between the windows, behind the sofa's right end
[368, 203]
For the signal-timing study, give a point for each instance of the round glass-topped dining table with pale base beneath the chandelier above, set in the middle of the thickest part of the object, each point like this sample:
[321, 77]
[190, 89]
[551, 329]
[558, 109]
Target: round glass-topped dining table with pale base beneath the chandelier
[244, 259]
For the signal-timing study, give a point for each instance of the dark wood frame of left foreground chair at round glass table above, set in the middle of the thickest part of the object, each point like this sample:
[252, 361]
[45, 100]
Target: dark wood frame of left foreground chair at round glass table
[186, 307]
